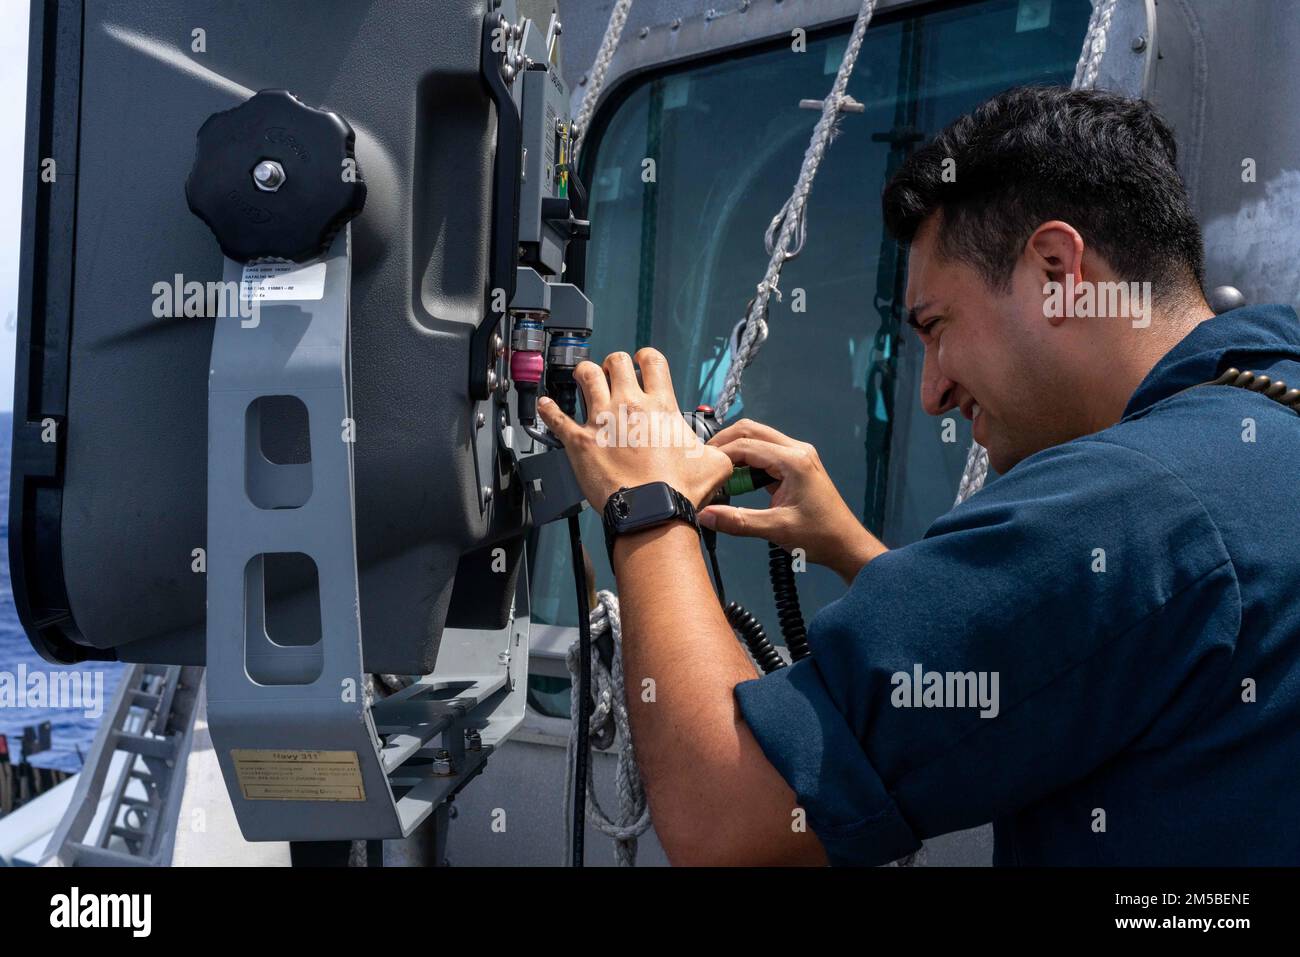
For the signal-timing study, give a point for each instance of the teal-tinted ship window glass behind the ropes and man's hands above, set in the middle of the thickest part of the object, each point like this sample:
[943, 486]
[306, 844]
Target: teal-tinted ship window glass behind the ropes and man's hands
[678, 248]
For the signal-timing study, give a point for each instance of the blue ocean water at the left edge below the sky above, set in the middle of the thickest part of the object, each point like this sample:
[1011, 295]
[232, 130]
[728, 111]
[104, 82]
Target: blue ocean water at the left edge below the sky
[72, 733]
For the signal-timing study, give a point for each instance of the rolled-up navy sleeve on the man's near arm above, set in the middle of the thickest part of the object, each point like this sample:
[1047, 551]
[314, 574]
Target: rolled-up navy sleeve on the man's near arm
[1080, 605]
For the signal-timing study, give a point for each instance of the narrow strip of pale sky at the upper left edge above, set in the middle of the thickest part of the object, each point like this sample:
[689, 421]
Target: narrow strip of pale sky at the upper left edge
[14, 107]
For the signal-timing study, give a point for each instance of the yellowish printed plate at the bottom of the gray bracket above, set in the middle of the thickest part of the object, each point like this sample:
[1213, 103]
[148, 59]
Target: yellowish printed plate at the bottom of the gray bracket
[272, 776]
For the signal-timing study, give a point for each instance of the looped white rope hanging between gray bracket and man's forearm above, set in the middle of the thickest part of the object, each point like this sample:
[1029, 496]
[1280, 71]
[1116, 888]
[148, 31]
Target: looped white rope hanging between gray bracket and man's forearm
[609, 725]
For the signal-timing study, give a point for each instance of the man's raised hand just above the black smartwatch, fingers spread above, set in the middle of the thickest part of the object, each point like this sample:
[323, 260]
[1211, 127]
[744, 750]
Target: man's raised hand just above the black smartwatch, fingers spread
[634, 434]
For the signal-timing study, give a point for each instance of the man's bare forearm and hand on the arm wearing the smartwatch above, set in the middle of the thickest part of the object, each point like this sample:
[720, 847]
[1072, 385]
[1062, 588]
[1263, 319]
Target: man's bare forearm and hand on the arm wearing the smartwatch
[714, 795]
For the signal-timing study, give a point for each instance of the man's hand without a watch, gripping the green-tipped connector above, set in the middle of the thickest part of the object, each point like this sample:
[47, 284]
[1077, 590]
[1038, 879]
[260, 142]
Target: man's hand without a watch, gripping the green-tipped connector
[807, 510]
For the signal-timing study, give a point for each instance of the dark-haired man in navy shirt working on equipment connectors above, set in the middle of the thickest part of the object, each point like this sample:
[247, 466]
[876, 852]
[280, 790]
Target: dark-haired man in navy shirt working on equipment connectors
[1121, 608]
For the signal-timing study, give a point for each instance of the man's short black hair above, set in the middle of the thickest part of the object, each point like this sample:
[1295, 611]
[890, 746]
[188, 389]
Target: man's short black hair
[1104, 163]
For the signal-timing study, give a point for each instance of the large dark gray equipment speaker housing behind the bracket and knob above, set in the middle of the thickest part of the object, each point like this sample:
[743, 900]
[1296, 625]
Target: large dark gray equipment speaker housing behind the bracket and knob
[110, 499]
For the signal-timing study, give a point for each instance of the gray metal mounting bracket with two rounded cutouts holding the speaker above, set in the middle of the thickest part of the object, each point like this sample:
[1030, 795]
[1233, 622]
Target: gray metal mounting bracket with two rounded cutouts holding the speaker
[305, 754]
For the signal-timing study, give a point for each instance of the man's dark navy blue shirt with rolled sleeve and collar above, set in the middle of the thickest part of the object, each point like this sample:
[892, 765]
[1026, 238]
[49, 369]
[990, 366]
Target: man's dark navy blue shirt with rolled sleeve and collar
[1137, 595]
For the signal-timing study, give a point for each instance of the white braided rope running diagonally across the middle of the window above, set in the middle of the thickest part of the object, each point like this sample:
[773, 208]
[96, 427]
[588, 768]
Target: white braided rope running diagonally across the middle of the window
[791, 215]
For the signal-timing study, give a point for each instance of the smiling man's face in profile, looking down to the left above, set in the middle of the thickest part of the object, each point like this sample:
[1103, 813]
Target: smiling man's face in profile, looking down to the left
[989, 354]
